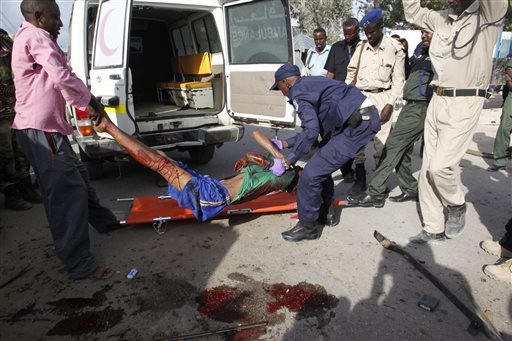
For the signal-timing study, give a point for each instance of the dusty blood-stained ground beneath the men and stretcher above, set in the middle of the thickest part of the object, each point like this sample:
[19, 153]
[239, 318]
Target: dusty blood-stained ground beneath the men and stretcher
[203, 278]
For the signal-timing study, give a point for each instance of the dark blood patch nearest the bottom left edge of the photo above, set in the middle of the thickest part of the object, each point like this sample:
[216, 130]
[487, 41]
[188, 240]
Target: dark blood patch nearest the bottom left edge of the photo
[88, 322]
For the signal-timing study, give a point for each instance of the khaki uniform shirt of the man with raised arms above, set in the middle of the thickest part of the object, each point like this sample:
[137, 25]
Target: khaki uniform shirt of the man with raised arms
[460, 58]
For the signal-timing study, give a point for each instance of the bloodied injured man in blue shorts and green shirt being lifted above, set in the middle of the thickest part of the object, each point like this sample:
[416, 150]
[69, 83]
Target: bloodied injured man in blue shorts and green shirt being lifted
[207, 197]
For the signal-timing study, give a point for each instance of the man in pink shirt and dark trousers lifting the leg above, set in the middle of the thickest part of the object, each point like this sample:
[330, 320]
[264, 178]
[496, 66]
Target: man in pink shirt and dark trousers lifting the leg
[44, 82]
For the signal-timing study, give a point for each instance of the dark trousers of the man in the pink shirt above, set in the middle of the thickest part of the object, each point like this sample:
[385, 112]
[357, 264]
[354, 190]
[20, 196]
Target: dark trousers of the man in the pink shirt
[68, 197]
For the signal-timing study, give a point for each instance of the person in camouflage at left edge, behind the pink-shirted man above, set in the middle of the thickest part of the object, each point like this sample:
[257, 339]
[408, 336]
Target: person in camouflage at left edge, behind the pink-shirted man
[15, 180]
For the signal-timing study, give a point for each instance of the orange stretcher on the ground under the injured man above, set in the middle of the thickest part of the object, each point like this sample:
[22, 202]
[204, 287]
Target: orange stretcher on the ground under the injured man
[153, 209]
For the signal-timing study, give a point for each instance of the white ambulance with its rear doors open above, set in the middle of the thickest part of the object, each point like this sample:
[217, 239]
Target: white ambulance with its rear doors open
[182, 75]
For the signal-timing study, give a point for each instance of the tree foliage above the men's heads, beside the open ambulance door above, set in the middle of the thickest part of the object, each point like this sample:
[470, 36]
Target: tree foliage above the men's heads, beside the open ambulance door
[328, 14]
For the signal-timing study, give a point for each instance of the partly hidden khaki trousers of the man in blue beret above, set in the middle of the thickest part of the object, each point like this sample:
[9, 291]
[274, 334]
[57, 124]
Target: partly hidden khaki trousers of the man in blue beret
[379, 100]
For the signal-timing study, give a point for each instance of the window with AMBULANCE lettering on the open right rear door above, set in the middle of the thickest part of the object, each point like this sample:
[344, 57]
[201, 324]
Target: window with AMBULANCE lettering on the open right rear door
[258, 33]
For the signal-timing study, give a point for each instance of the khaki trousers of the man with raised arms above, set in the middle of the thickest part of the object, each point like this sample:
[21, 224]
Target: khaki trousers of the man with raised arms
[449, 127]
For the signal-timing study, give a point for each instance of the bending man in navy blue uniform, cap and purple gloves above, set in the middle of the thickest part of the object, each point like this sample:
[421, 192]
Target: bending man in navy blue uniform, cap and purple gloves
[345, 119]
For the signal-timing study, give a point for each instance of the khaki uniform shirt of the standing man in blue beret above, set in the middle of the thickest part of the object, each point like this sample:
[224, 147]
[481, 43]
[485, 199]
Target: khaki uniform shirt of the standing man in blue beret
[381, 68]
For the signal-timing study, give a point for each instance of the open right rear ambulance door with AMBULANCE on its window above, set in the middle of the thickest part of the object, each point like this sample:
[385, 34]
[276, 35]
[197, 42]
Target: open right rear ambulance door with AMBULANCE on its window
[259, 39]
